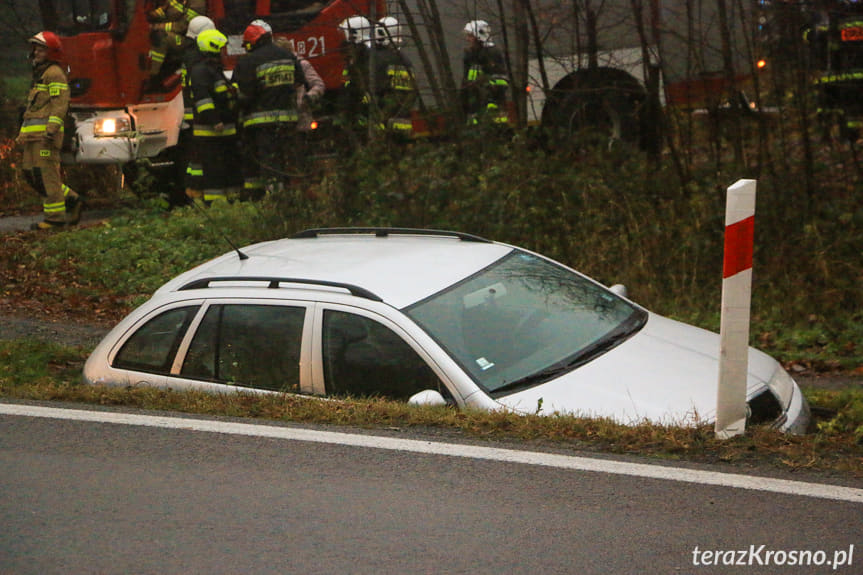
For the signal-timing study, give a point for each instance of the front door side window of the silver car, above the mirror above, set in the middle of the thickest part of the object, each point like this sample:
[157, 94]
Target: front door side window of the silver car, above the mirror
[362, 357]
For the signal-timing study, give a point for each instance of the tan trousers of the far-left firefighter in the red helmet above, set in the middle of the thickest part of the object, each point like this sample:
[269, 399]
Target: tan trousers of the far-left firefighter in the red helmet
[41, 166]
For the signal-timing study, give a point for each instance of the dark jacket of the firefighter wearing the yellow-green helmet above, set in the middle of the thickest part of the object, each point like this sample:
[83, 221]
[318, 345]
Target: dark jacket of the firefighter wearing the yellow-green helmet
[214, 100]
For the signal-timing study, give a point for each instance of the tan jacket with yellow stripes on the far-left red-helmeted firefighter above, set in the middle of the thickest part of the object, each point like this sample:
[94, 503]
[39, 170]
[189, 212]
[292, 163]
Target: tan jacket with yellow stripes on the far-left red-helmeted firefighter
[47, 104]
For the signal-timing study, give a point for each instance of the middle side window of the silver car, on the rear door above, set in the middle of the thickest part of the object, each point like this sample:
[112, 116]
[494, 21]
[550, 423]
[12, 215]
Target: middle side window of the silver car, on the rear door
[248, 345]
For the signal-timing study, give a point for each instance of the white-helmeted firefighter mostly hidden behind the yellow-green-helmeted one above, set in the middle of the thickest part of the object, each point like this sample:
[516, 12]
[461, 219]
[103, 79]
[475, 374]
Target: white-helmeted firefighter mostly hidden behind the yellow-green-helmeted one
[191, 56]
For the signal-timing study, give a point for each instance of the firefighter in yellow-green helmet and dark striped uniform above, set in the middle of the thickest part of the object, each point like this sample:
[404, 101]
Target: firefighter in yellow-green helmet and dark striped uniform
[214, 125]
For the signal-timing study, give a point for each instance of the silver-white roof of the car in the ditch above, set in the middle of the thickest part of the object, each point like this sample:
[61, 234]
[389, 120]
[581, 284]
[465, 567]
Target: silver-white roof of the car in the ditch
[397, 266]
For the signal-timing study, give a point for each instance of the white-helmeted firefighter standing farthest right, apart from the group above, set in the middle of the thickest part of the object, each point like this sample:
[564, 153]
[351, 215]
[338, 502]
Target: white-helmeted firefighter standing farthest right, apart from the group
[484, 83]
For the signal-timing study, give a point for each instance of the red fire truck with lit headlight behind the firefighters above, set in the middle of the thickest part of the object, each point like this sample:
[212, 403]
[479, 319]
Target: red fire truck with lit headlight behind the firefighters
[106, 44]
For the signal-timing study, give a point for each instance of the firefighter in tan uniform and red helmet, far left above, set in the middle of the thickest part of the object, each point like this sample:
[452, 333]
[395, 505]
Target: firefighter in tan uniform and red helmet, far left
[41, 135]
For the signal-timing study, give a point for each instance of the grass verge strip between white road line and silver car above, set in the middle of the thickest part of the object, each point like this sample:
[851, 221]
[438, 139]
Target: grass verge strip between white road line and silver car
[33, 370]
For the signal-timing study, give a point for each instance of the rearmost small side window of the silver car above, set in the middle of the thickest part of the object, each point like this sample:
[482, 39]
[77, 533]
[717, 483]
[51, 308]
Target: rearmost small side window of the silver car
[153, 346]
